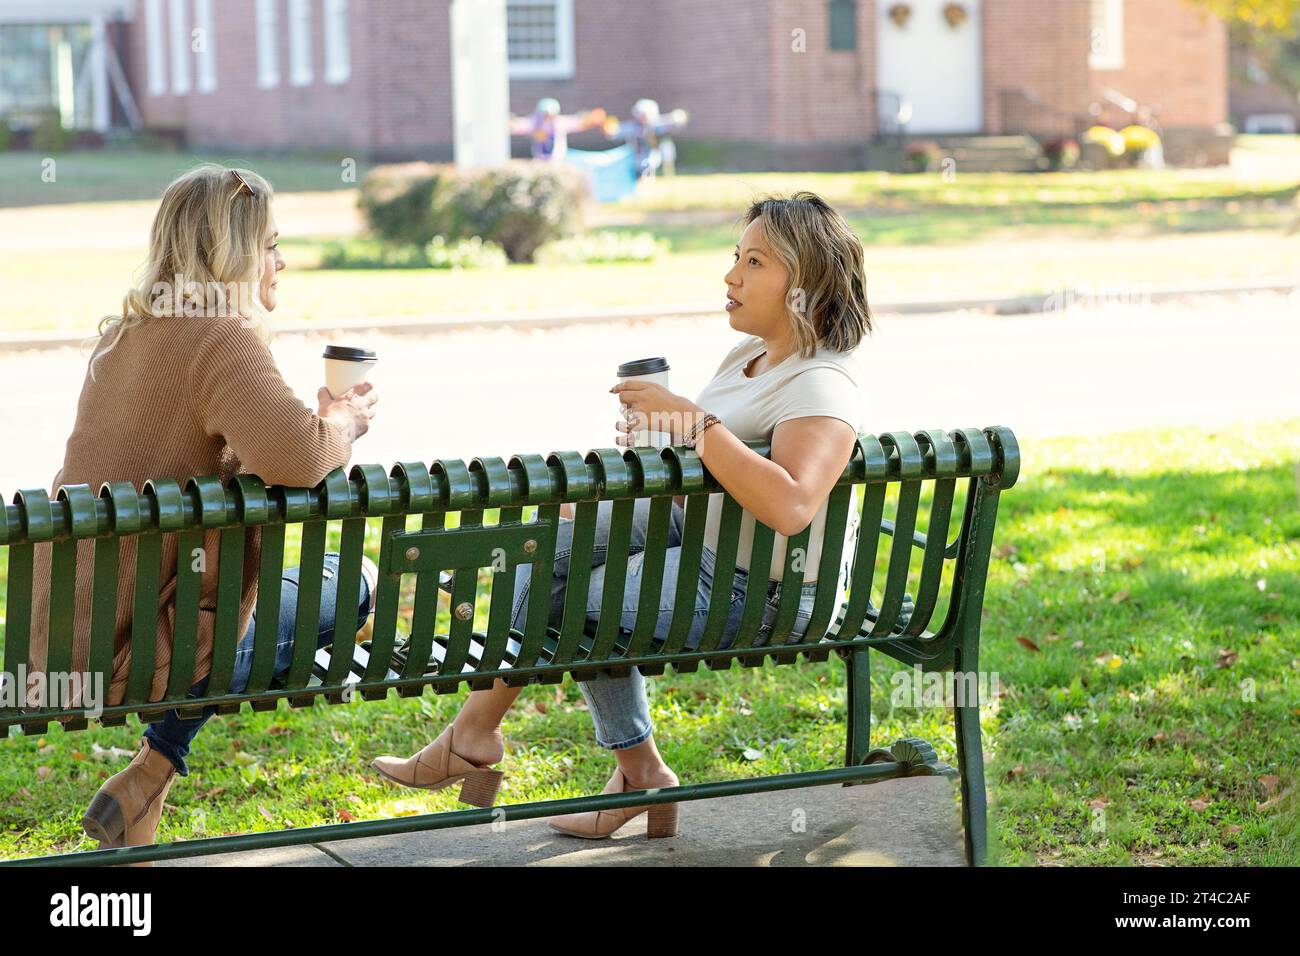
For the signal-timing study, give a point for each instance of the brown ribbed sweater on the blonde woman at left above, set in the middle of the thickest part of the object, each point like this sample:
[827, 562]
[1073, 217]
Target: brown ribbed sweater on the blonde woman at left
[175, 399]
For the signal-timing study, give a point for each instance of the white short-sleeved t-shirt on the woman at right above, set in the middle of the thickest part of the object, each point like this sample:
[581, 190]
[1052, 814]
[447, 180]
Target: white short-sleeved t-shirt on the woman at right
[752, 408]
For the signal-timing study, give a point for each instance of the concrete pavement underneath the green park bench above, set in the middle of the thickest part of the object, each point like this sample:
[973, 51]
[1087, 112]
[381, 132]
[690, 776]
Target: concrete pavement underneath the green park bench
[907, 823]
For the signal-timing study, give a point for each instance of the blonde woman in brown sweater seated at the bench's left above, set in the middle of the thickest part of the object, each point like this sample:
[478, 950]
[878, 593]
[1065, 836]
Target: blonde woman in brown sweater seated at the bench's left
[183, 384]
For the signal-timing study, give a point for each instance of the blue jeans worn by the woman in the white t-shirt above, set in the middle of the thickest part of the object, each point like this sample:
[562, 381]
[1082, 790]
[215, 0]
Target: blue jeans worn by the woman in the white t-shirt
[618, 706]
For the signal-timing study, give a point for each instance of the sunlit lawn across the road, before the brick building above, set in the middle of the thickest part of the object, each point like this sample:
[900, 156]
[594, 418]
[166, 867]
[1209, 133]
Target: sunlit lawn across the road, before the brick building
[976, 236]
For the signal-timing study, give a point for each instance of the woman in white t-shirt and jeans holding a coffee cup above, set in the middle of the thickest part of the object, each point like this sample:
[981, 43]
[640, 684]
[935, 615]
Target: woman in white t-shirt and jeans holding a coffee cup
[799, 289]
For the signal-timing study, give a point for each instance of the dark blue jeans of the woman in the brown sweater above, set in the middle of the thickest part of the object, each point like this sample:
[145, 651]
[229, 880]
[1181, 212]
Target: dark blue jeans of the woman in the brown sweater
[174, 736]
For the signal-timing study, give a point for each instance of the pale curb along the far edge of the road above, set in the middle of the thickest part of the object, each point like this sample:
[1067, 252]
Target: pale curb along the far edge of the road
[1048, 301]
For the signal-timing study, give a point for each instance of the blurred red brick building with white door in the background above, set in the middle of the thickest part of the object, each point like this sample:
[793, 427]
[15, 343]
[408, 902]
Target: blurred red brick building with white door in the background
[768, 83]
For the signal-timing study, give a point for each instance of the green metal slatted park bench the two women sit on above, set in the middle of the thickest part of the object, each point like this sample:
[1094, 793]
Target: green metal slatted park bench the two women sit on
[892, 481]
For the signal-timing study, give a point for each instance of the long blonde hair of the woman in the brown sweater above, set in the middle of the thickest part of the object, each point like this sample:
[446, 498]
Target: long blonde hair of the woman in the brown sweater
[206, 254]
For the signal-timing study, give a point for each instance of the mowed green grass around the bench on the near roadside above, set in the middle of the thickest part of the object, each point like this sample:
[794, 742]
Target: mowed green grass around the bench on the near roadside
[1141, 620]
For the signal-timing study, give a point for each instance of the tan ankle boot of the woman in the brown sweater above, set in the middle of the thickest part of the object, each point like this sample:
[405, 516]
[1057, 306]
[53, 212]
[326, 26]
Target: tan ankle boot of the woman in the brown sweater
[128, 807]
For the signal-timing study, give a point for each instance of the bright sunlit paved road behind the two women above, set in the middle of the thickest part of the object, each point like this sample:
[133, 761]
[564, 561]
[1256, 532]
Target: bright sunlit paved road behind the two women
[1201, 361]
